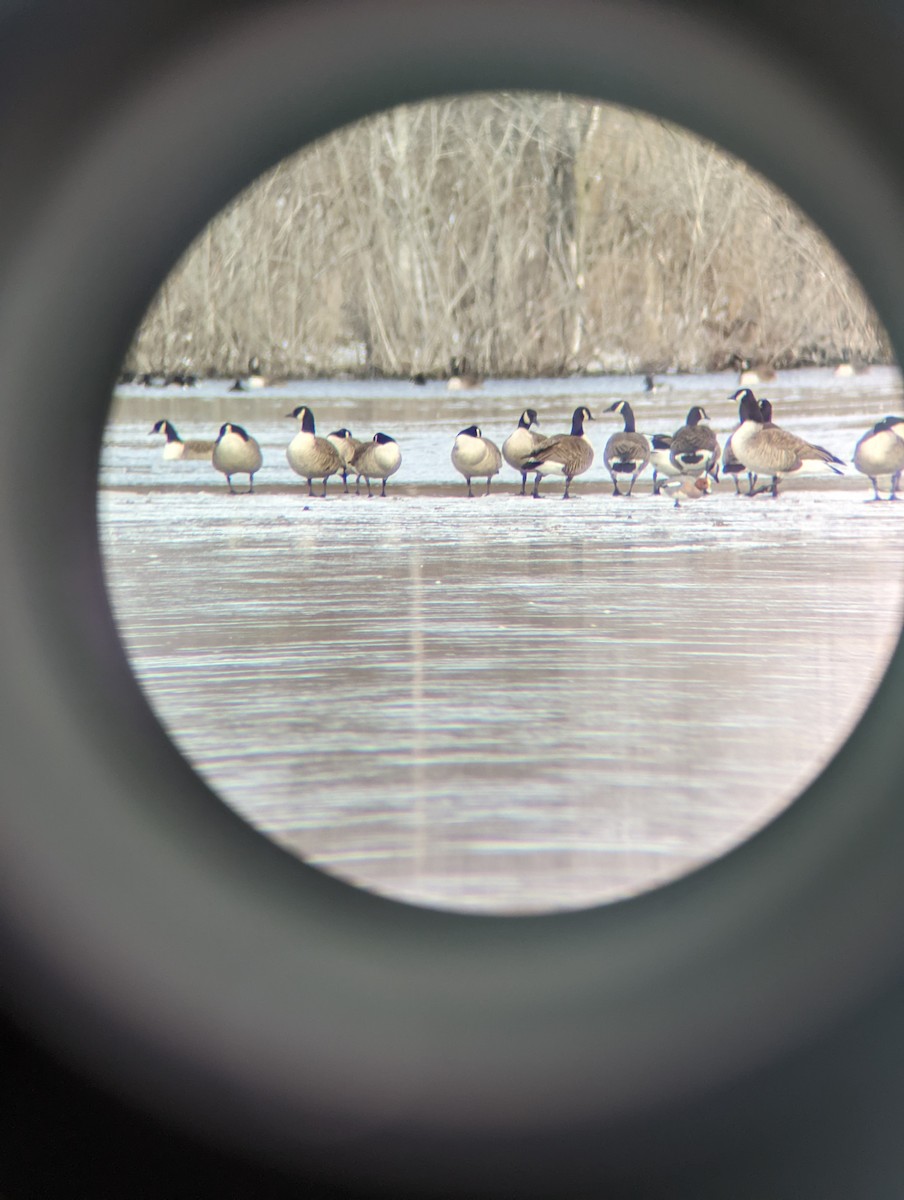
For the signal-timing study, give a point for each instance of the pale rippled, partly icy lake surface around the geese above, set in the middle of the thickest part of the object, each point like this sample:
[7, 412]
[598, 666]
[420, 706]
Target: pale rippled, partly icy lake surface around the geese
[501, 705]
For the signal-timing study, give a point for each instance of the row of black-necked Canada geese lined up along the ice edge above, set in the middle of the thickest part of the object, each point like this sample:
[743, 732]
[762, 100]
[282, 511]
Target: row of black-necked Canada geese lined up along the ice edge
[686, 463]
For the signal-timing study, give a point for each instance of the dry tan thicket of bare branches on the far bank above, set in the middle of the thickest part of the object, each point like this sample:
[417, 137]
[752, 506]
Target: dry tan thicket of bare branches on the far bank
[526, 235]
